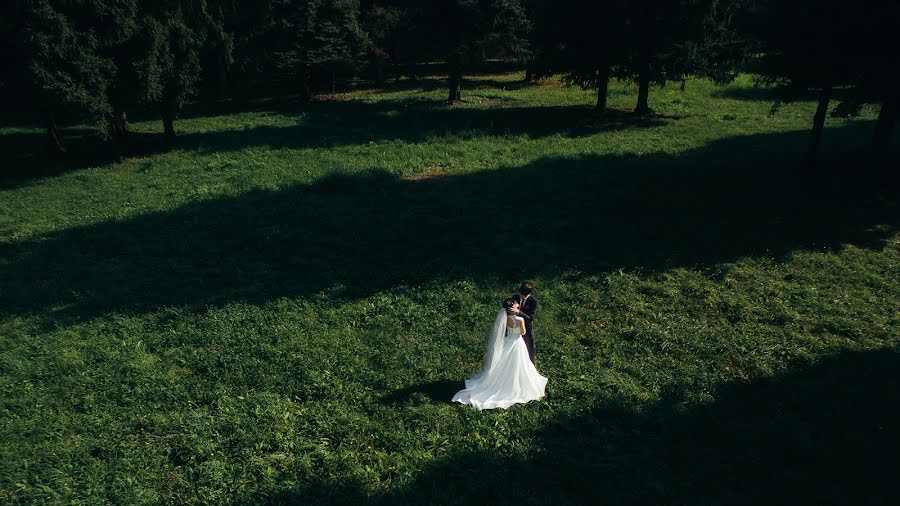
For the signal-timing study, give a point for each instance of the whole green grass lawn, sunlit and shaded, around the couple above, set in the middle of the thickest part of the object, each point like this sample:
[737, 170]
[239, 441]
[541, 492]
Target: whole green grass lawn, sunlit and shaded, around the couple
[278, 308]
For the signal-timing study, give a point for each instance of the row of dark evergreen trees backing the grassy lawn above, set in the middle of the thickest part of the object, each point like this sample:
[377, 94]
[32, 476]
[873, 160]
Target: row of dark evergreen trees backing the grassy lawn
[104, 59]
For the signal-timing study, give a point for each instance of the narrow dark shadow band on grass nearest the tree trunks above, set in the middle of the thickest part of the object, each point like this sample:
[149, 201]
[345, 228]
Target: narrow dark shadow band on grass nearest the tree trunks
[24, 157]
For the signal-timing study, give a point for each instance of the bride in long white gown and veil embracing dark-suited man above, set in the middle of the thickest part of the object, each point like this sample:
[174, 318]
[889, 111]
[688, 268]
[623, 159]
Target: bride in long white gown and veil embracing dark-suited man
[507, 377]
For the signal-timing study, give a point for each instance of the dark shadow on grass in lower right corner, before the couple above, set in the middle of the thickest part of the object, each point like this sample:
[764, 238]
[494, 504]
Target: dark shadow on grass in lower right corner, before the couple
[827, 433]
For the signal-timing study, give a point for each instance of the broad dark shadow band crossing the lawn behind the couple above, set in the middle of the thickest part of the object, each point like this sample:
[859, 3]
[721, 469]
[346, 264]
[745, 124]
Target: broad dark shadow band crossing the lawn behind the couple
[354, 235]
